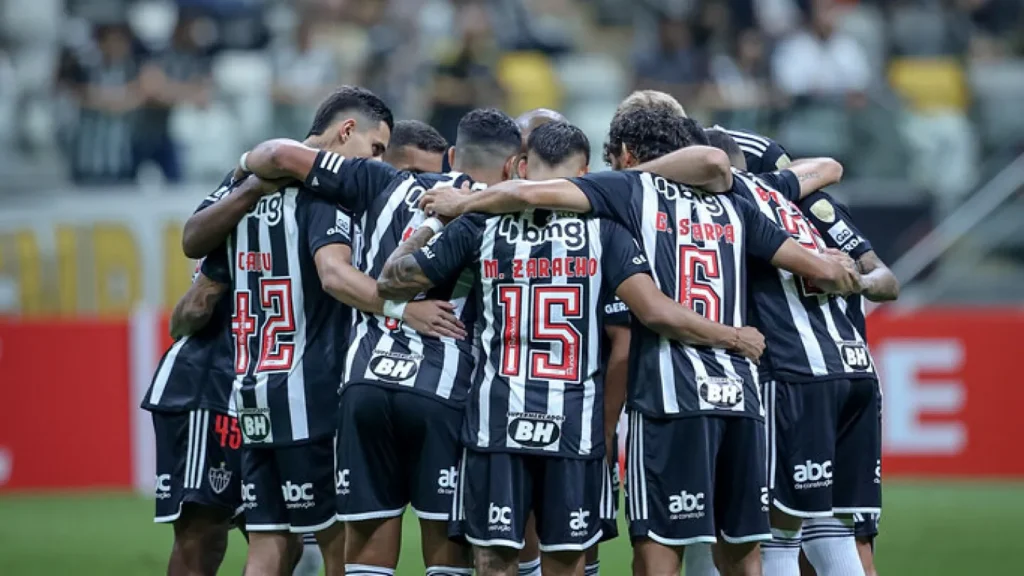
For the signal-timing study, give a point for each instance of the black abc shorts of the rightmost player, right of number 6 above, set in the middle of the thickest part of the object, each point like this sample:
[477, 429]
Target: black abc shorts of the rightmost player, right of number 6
[825, 442]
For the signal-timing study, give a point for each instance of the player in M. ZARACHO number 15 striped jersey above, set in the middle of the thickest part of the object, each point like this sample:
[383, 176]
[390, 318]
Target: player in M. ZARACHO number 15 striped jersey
[535, 433]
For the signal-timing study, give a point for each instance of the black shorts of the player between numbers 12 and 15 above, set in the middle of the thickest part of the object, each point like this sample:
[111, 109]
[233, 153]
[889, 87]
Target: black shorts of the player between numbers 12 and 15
[396, 448]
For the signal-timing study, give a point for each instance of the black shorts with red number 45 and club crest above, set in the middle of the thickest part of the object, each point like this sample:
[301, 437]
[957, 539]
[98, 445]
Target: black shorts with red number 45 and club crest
[198, 462]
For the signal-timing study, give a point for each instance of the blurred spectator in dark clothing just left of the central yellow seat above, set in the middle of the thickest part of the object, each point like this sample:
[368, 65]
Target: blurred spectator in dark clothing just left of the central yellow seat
[464, 78]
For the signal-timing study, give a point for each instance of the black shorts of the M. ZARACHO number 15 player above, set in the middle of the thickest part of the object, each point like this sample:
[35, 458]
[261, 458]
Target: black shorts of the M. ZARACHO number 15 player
[571, 501]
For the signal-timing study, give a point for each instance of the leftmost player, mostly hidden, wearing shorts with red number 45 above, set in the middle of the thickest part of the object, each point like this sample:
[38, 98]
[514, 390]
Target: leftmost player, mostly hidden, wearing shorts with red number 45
[198, 485]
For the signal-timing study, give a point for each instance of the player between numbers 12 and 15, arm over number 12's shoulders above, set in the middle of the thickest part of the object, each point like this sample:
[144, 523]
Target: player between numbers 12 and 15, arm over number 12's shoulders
[403, 402]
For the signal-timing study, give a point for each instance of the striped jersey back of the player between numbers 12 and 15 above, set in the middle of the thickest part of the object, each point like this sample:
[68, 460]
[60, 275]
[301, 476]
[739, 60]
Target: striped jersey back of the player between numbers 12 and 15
[386, 352]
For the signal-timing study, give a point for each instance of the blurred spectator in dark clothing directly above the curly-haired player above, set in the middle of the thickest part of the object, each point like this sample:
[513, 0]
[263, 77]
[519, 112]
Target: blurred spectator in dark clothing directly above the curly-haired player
[676, 65]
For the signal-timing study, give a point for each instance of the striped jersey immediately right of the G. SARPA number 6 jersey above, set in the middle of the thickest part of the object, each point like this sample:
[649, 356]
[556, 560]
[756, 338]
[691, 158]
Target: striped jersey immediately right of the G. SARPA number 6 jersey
[808, 335]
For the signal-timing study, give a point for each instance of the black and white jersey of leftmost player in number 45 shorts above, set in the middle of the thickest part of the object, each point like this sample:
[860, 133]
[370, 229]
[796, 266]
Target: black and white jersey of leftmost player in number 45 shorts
[196, 374]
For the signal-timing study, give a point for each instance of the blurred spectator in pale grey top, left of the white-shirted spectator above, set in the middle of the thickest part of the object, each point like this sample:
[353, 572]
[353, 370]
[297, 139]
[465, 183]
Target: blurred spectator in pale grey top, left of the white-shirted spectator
[743, 83]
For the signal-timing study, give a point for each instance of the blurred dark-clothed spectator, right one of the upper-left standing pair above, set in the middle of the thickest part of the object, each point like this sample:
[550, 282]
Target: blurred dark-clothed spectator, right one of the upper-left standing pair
[179, 76]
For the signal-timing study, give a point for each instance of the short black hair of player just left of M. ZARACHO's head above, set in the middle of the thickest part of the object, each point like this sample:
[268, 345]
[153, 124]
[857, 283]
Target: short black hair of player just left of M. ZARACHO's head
[487, 136]
